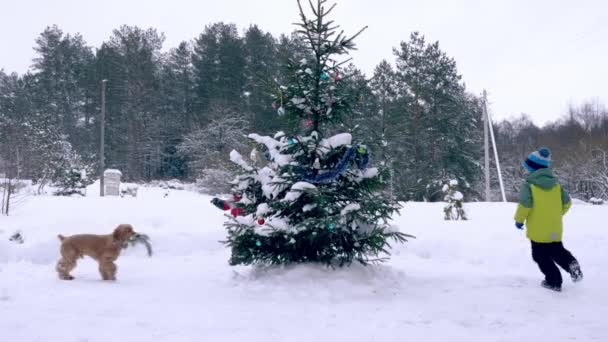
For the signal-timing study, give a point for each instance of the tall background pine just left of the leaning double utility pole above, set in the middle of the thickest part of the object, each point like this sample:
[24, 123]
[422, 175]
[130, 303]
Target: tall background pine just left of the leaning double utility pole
[441, 120]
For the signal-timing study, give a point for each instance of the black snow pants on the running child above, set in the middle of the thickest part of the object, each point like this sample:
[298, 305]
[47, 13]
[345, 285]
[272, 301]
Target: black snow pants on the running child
[546, 255]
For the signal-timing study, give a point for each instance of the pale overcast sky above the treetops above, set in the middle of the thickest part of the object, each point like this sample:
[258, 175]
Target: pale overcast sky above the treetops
[533, 56]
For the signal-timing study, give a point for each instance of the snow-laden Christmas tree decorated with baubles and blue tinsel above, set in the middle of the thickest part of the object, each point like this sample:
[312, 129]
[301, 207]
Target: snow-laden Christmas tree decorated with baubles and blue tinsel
[306, 197]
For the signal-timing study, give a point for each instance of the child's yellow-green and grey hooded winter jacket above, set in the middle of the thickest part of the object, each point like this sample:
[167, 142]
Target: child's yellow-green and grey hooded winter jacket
[542, 203]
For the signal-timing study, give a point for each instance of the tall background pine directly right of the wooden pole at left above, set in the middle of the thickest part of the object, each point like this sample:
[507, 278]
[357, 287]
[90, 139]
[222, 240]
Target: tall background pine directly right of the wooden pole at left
[130, 61]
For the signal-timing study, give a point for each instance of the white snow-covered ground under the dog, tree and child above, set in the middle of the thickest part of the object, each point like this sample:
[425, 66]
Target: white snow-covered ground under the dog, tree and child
[459, 281]
